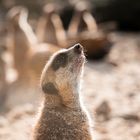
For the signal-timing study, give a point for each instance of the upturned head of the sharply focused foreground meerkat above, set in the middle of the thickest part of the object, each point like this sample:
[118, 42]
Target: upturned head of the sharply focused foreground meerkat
[61, 75]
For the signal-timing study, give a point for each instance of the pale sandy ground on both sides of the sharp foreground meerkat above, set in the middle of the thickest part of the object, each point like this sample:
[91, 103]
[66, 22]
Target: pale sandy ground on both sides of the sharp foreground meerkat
[110, 91]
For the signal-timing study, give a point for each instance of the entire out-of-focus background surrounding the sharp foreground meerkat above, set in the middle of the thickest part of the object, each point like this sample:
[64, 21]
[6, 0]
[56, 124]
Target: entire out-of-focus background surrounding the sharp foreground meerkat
[31, 31]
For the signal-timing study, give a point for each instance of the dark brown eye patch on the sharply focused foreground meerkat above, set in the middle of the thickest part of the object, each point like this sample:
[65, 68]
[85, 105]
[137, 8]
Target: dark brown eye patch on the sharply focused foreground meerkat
[61, 60]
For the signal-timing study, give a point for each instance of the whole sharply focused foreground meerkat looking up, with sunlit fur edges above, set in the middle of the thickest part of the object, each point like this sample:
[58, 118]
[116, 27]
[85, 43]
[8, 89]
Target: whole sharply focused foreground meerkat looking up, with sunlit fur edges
[63, 117]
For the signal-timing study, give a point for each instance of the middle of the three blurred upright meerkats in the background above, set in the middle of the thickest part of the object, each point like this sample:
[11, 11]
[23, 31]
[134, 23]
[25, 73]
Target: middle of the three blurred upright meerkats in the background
[50, 27]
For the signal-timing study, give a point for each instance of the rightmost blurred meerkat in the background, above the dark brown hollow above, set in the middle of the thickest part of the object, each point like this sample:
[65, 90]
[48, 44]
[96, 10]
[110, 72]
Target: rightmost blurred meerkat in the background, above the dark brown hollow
[82, 20]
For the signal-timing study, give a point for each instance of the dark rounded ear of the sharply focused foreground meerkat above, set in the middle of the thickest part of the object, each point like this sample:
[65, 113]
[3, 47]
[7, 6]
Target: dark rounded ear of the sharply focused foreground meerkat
[50, 88]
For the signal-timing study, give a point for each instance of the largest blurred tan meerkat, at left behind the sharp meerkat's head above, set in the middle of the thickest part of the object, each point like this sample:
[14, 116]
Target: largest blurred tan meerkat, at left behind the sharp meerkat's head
[29, 55]
